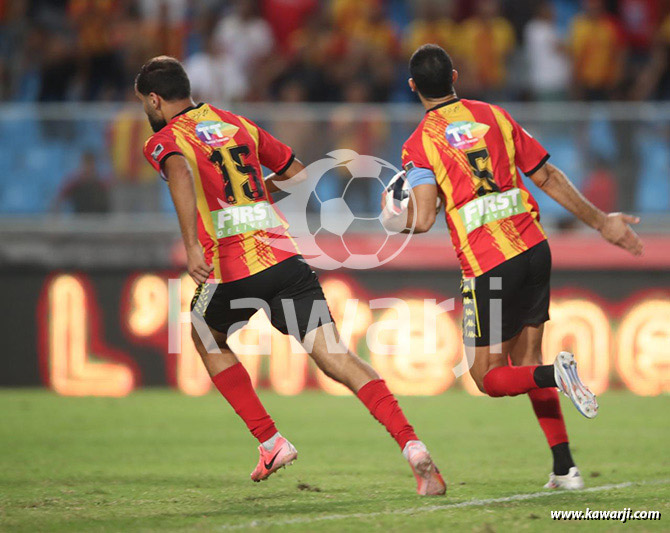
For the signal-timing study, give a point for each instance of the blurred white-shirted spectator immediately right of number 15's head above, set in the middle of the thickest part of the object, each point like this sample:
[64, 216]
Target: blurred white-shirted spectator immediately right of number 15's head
[215, 76]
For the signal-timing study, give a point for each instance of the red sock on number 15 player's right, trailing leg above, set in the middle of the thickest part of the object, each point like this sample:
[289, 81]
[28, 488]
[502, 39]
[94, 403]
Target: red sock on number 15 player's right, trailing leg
[376, 396]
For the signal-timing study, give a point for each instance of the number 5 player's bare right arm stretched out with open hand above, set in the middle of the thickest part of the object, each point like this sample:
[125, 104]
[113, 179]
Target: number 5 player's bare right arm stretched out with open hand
[614, 227]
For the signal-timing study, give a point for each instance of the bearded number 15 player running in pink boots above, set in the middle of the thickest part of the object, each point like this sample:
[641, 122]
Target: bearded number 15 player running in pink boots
[212, 160]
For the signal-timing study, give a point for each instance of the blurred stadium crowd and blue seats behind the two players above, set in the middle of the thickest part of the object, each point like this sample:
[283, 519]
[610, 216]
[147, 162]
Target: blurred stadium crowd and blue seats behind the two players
[562, 54]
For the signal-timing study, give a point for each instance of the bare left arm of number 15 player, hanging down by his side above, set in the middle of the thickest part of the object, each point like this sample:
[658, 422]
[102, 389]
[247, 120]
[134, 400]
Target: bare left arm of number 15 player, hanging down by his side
[182, 190]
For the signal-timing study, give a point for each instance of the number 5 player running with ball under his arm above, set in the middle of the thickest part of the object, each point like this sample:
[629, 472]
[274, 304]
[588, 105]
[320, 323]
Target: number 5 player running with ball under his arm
[467, 153]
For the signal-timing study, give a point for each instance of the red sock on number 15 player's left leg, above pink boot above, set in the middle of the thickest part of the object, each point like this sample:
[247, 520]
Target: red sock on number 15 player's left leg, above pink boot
[235, 385]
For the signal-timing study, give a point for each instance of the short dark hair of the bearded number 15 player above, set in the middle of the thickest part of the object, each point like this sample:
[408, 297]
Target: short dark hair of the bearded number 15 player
[165, 76]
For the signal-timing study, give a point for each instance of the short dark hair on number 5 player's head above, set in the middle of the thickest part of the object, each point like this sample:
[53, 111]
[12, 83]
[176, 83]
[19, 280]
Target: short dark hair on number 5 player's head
[431, 69]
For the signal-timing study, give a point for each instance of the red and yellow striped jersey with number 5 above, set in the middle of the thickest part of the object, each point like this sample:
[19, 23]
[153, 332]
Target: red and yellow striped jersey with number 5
[473, 150]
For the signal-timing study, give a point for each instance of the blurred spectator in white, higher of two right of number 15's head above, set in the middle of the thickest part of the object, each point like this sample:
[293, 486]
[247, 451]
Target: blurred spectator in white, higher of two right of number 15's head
[246, 37]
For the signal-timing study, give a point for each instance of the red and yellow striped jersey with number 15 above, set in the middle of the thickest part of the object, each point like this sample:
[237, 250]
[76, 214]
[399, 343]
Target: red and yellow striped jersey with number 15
[240, 230]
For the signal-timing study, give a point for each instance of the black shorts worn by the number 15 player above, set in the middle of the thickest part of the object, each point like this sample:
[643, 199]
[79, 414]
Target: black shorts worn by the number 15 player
[280, 289]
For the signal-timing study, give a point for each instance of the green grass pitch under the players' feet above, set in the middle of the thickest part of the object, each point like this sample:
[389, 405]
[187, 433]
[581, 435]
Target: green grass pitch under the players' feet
[160, 461]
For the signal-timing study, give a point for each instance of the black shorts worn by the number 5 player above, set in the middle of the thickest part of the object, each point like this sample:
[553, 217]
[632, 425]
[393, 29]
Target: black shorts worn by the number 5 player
[516, 290]
